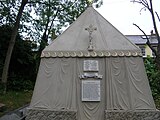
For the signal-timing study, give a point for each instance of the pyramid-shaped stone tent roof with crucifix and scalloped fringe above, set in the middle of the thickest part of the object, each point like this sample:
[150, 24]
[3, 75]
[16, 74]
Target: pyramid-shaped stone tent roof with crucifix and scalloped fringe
[91, 35]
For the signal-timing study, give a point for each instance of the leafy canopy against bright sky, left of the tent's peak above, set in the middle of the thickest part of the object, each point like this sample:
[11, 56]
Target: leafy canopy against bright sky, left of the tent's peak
[43, 17]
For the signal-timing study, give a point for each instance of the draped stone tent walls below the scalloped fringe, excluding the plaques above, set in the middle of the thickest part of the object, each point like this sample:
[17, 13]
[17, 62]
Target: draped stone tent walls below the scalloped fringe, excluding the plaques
[124, 86]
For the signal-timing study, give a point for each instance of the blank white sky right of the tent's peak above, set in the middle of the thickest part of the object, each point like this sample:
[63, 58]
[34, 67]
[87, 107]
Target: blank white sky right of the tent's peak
[123, 13]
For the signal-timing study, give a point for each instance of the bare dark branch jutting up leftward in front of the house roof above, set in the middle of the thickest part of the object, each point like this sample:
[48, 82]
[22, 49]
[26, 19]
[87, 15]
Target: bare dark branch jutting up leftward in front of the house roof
[148, 42]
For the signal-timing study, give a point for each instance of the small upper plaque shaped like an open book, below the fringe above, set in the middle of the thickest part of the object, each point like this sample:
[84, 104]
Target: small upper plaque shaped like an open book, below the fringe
[90, 65]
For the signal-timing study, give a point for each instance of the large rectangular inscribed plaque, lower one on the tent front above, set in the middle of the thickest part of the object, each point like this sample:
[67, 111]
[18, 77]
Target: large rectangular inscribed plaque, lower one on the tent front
[90, 90]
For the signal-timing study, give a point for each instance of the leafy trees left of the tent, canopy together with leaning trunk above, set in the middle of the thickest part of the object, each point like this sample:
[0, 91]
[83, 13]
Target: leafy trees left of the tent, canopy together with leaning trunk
[50, 17]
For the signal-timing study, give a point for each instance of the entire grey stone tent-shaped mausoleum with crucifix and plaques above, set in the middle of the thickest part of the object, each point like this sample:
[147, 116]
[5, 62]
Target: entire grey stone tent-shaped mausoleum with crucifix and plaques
[92, 72]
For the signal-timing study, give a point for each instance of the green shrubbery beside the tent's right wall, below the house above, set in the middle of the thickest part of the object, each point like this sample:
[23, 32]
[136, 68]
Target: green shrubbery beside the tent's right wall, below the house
[154, 77]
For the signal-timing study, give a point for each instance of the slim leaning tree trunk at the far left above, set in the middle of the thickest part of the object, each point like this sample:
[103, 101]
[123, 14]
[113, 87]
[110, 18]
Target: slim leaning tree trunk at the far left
[11, 46]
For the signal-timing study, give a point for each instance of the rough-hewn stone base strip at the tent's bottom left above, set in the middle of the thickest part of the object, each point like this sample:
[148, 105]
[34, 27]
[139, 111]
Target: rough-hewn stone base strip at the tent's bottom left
[36, 114]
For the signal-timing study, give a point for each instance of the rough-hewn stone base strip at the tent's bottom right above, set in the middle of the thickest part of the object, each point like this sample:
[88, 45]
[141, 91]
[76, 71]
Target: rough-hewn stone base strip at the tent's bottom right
[132, 115]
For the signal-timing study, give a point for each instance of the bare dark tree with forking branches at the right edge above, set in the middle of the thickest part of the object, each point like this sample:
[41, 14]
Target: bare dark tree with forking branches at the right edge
[148, 4]
